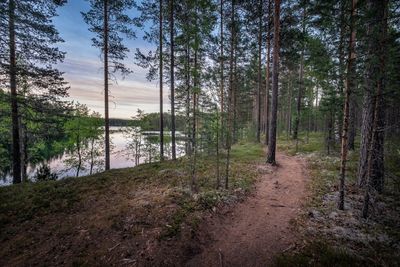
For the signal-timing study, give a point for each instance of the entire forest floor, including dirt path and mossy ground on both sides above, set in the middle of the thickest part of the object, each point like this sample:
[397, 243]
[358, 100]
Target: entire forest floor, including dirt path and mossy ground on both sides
[146, 216]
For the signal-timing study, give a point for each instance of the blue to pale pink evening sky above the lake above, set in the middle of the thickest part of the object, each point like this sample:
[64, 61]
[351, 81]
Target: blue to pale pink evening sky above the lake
[84, 72]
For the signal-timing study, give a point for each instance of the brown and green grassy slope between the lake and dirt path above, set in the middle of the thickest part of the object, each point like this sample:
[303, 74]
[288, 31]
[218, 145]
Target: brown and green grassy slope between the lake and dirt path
[136, 216]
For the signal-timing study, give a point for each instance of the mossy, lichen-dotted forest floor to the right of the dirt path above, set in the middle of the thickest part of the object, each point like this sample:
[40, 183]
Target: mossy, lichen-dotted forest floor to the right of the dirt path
[332, 237]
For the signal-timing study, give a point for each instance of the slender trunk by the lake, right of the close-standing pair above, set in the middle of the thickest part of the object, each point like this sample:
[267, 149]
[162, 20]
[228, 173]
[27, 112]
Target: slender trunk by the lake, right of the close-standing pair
[171, 22]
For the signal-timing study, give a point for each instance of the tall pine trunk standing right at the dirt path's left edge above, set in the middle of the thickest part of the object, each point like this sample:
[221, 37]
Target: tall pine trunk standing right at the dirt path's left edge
[275, 76]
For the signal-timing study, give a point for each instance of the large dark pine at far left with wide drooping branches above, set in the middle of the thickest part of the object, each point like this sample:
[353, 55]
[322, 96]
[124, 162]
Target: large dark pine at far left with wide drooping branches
[28, 54]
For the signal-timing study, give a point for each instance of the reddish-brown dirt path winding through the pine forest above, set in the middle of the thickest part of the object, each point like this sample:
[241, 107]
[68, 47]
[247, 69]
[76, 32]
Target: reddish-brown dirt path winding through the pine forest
[258, 228]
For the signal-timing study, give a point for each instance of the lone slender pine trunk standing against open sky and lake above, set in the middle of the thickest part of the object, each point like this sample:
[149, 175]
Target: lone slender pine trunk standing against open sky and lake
[106, 114]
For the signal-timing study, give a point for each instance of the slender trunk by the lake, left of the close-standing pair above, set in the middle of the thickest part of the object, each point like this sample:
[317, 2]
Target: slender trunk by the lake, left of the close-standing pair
[161, 81]
